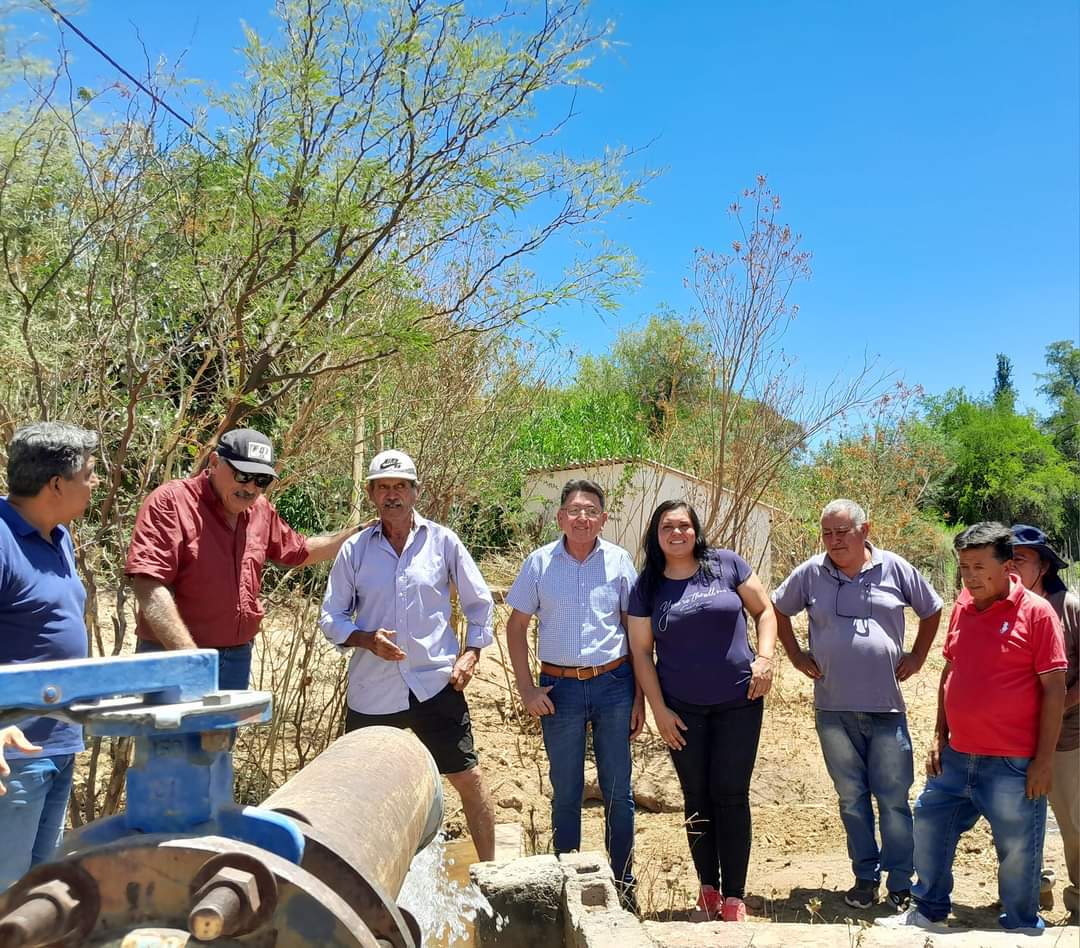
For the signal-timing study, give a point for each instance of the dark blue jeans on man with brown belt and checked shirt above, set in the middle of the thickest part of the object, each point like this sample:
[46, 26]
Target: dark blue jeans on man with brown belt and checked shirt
[605, 702]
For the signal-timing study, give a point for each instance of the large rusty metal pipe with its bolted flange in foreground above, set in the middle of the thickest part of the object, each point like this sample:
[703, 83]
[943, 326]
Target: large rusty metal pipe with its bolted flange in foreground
[364, 807]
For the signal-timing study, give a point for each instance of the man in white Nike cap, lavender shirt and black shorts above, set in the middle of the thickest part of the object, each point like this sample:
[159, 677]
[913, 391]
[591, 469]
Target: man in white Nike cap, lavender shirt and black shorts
[388, 599]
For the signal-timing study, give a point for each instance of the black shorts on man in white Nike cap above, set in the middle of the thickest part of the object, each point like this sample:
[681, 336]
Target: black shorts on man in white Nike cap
[441, 723]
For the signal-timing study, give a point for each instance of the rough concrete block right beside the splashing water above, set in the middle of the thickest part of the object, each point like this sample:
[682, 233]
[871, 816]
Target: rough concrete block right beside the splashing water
[528, 895]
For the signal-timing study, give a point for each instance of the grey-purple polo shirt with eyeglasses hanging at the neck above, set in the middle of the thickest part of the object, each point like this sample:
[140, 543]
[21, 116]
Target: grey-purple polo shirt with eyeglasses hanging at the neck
[857, 627]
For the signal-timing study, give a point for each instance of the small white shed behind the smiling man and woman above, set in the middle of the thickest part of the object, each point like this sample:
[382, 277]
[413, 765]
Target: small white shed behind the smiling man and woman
[634, 486]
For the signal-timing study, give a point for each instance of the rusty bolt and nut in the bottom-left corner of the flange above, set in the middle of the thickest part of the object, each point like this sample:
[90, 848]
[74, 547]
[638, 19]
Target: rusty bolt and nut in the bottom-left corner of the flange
[56, 904]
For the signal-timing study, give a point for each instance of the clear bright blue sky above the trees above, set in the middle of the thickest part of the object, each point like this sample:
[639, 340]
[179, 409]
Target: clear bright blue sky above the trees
[929, 154]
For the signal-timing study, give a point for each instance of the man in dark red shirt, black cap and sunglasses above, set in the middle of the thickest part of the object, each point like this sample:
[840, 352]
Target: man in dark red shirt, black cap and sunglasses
[198, 550]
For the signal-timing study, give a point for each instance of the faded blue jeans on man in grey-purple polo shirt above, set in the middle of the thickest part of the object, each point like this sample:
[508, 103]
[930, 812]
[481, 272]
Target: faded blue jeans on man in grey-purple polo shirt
[870, 754]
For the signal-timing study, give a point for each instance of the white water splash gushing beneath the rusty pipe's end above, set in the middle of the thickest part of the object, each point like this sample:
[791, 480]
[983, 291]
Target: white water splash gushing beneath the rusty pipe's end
[444, 910]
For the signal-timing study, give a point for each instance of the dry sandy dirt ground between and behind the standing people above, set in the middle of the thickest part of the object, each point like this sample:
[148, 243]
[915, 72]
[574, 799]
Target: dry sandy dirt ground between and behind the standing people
[799, 869]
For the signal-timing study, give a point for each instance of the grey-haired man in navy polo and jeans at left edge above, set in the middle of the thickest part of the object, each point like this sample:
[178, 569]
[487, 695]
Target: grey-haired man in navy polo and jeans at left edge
[50, 480]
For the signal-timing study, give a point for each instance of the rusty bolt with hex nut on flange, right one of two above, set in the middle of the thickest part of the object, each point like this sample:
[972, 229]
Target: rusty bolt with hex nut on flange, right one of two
[252, 885]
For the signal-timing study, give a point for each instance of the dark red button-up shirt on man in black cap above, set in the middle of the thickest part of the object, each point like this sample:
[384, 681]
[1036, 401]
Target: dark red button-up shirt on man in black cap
[183, 539]
